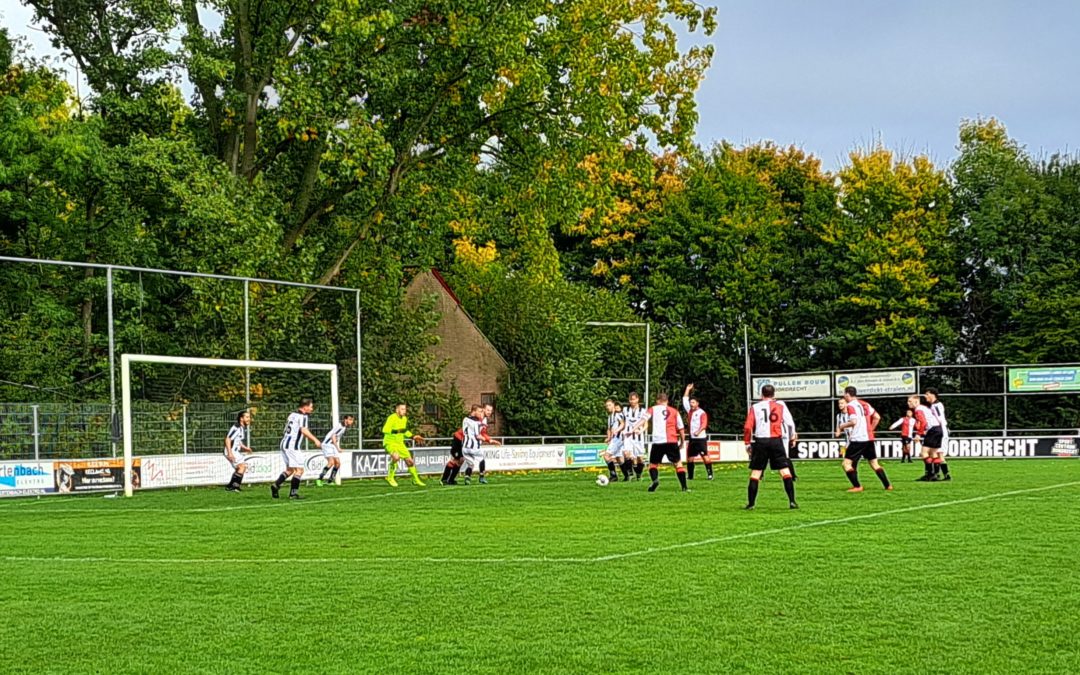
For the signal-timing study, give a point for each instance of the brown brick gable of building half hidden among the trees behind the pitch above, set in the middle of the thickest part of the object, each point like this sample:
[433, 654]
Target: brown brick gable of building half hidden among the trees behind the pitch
[474, 366]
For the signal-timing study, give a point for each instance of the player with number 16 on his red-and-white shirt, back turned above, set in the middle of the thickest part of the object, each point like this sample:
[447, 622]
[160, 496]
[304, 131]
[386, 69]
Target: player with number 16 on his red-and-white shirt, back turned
[768, 433]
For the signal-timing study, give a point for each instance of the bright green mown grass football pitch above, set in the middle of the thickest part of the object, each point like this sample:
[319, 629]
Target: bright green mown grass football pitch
[551, 573]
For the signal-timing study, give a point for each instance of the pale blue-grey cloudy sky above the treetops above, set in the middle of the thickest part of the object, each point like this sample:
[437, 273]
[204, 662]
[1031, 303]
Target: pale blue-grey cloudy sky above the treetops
[832, 75]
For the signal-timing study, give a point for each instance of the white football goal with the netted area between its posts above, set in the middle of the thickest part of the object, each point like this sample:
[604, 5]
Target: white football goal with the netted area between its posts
[178, 411]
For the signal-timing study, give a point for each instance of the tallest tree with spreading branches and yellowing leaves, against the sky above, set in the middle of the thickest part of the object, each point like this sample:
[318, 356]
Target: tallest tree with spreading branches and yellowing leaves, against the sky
[328, 107]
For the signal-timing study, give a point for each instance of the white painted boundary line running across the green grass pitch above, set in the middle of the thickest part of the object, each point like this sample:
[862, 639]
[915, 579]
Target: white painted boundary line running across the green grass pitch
[528, 560]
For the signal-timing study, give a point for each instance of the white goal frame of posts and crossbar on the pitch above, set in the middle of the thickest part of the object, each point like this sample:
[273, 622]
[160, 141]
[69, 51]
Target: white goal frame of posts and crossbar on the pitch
[190, 364]
